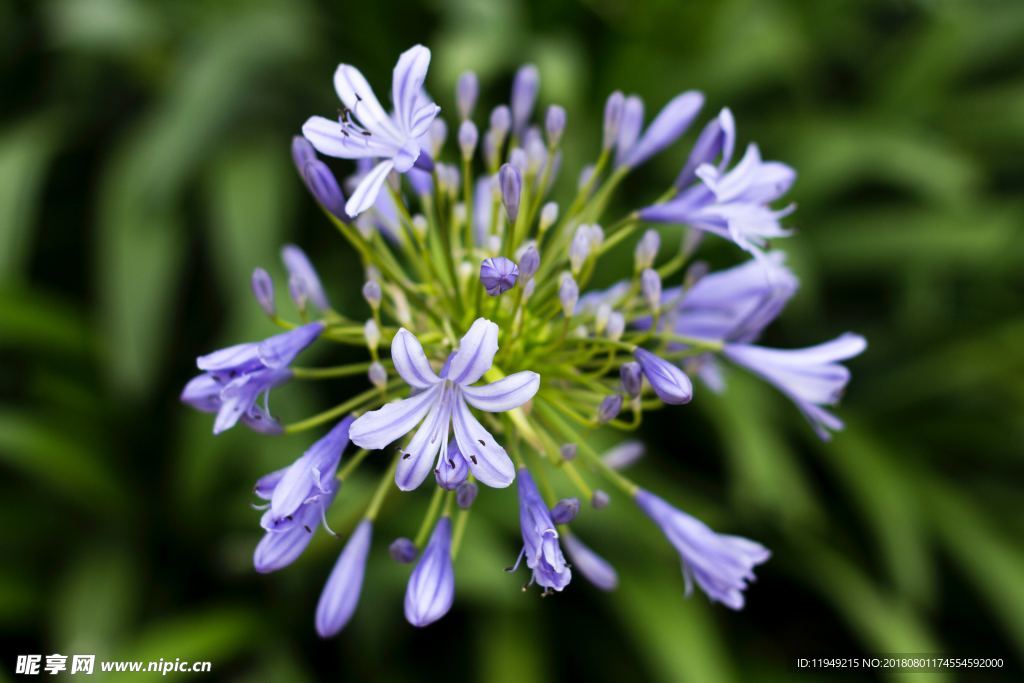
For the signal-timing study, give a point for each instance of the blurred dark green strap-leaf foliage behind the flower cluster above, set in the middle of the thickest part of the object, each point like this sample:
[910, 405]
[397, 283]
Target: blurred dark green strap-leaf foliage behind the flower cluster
[145, 172]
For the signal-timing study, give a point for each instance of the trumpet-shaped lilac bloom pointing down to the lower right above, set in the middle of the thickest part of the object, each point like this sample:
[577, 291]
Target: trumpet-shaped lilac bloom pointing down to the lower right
[721, 565]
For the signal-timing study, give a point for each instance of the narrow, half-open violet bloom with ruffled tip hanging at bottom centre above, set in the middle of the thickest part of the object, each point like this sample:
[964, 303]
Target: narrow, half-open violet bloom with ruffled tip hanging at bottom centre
[540, 538]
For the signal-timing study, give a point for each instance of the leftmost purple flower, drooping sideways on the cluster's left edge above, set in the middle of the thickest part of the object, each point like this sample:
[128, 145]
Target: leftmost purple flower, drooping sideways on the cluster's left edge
[236, 377]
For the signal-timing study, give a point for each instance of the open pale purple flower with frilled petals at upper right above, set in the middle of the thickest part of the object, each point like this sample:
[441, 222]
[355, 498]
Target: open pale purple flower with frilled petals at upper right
[733, 205]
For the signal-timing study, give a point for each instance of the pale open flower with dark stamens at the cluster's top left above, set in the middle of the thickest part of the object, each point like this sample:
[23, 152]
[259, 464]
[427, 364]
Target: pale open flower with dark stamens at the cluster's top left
[367, 132]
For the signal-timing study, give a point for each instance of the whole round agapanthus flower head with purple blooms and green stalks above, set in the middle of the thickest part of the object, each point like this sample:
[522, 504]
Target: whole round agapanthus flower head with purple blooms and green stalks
[492, 360]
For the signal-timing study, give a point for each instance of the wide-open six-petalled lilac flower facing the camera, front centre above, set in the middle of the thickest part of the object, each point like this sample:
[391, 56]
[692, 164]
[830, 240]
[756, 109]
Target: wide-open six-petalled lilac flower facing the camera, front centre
[446, 401]
